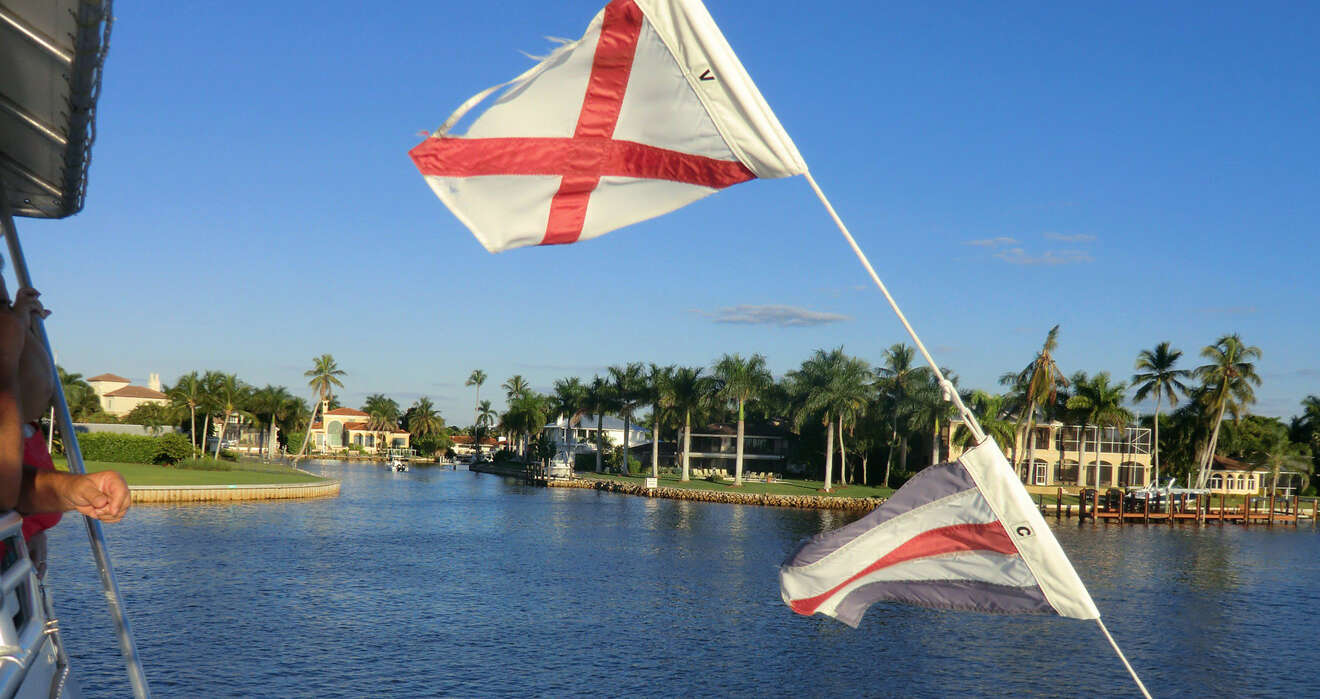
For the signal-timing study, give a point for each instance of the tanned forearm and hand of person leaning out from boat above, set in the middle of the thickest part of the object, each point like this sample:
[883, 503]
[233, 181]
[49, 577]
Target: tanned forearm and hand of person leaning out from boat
[102, 495]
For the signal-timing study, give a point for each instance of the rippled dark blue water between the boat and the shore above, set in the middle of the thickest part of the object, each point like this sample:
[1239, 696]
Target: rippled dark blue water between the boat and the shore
[457, 584]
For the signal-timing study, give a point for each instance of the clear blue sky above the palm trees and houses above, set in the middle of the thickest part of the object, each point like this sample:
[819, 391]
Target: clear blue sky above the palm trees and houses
[1136, 173]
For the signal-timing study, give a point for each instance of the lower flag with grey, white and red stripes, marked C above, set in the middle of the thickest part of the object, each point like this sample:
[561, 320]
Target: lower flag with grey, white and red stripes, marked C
[959, 536]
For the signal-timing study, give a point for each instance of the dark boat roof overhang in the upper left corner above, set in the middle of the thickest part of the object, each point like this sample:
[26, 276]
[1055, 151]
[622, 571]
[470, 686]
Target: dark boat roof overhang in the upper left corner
[52, 52]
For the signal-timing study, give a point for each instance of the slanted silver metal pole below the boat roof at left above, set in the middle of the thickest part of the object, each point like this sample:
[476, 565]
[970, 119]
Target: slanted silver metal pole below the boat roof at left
[76, 465]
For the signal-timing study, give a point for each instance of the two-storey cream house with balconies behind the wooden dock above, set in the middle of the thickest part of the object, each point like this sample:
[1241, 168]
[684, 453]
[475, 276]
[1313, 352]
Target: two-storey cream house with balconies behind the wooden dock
[1121, 456]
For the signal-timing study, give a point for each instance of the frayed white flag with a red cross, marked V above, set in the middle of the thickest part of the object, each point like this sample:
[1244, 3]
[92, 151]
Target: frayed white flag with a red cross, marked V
[647, 113]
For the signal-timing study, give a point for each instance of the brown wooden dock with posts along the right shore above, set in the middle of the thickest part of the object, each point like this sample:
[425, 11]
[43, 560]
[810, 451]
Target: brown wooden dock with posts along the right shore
[1117, 508]
